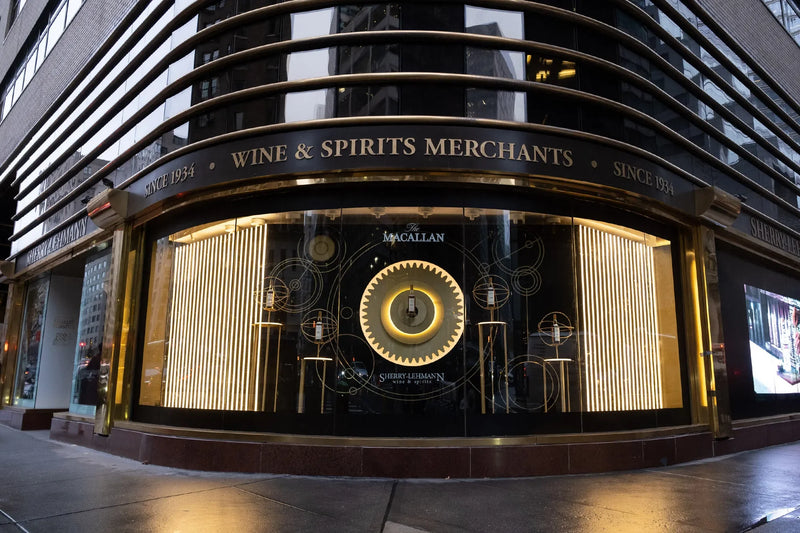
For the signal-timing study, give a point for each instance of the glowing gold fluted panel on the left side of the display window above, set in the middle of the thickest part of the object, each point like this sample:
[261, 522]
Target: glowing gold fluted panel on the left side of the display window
[209, 362]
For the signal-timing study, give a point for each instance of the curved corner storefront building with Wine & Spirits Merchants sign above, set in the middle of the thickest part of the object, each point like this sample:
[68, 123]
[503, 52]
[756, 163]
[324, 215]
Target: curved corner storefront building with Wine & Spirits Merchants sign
[496, 238]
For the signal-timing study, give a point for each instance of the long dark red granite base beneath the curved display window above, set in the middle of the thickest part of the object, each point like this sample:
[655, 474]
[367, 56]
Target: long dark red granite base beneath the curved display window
[420, 461]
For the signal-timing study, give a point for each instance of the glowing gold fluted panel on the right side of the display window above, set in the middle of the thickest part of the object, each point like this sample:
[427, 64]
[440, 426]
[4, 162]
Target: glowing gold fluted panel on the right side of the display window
[620, 323]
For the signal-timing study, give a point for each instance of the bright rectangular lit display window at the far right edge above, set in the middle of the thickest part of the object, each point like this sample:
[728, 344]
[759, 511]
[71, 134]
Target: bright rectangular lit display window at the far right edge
[773, 324]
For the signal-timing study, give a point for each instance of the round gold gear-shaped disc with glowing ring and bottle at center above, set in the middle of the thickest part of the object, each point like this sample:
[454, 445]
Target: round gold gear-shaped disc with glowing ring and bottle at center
[421, 337]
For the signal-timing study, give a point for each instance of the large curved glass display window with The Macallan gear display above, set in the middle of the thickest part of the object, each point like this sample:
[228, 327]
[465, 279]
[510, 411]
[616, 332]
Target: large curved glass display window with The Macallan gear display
[411, 321]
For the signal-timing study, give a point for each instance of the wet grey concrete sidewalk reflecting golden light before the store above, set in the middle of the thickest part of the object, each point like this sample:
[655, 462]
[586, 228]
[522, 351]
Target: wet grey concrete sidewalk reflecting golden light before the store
[53, 487]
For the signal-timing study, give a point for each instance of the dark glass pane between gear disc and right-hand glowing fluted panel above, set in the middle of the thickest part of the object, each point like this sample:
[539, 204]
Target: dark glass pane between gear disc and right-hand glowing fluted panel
[522, 309]
